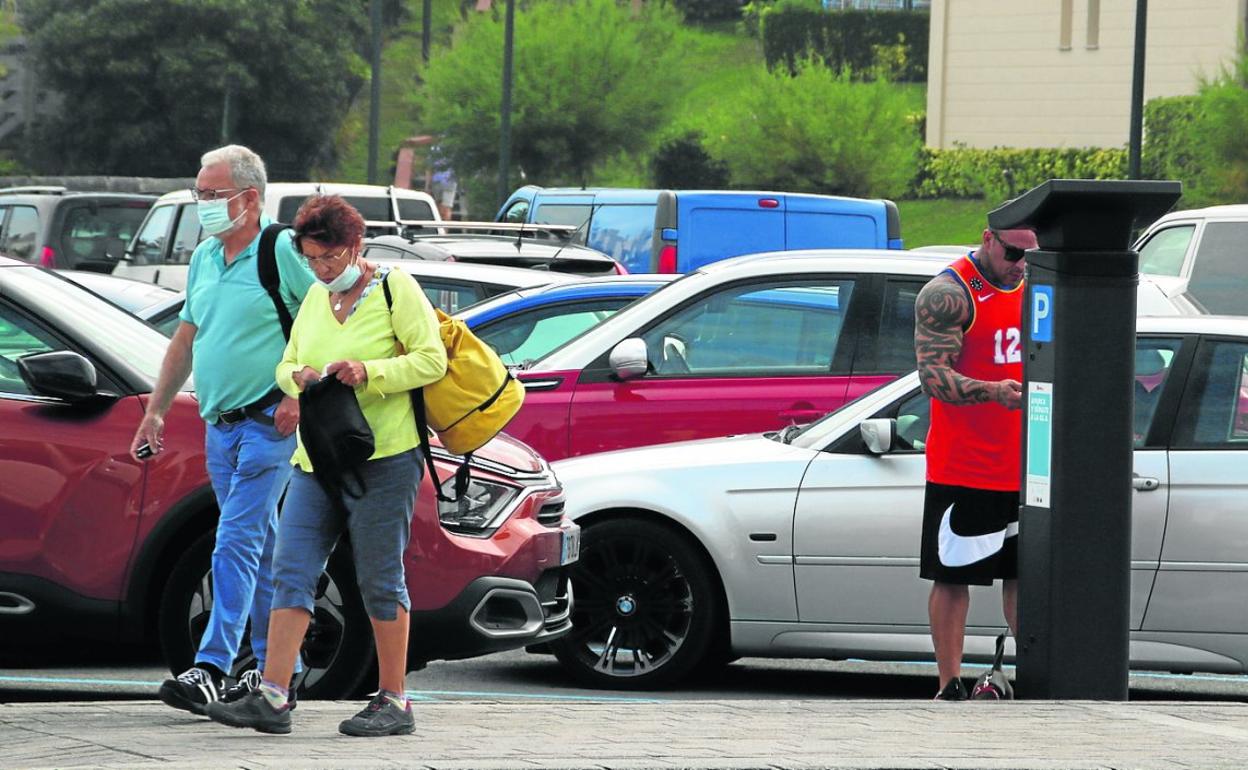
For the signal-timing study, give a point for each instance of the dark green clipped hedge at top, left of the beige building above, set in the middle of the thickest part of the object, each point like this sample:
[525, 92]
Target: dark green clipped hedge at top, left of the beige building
[865, 43]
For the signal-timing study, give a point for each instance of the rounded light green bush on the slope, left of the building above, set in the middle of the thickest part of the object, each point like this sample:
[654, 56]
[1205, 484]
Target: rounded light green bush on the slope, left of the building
[818, 132]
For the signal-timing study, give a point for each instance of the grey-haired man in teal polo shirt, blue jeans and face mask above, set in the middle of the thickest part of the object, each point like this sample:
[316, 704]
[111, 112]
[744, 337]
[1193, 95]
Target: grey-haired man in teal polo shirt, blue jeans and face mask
[232, 338]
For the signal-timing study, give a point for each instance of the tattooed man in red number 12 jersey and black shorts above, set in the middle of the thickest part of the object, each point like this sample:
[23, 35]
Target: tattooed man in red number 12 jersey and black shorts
[969, 344]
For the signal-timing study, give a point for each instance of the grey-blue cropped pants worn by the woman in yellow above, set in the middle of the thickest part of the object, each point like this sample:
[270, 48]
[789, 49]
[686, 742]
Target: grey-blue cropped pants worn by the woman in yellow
[380, 525]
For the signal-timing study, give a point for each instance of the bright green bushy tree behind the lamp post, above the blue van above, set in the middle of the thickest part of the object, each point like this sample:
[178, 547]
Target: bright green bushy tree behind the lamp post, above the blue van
[591, 80]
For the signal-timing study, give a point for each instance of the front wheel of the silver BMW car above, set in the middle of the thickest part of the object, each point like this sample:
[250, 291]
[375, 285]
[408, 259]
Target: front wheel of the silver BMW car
[646, 611]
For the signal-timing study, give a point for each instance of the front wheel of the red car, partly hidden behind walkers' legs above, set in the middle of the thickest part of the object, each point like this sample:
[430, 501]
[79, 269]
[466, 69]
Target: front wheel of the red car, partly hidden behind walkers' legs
[338, 651]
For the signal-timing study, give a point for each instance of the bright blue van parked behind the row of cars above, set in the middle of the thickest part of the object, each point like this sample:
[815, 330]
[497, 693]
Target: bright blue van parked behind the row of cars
[676, 231]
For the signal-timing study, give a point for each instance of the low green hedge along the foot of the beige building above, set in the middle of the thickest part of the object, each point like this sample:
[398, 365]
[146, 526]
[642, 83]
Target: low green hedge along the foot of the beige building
[1003, 173]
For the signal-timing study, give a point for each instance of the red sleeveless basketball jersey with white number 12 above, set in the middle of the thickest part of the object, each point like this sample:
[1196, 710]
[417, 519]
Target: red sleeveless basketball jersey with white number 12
[979, 445]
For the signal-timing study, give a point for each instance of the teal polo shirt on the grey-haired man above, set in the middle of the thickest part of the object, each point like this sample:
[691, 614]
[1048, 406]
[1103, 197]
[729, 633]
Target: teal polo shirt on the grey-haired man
[239, 339]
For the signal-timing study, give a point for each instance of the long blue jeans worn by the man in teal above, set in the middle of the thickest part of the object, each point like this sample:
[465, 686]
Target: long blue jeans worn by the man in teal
[250, 466]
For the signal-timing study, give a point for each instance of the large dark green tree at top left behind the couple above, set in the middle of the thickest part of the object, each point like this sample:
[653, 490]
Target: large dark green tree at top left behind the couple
[149, 87]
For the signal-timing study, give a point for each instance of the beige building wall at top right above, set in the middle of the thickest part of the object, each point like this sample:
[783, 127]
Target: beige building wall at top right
[1058, 73]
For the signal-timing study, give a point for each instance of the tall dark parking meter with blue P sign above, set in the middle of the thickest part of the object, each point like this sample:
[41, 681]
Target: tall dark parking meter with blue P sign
[1079, 370]
